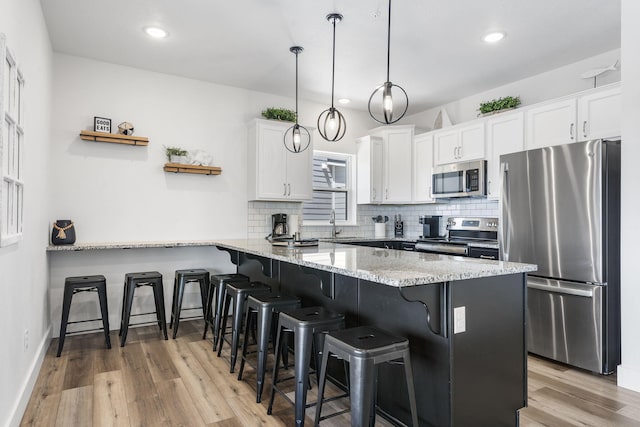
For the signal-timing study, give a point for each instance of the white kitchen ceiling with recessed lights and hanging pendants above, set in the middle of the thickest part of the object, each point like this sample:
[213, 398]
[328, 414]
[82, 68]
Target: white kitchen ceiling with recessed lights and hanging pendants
[437, 52]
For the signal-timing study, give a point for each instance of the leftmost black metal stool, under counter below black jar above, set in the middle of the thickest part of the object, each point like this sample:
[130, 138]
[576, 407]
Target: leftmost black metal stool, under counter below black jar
[74, 285]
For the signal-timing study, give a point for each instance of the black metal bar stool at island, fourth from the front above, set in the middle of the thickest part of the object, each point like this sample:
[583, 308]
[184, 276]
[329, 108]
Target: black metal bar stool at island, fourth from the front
[237, 294]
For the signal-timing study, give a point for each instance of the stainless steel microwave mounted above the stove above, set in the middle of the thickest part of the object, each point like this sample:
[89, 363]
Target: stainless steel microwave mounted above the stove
[468, 179]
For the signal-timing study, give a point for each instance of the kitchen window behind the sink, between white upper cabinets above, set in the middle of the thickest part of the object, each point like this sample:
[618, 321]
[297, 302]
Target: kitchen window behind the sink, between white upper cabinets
[333, 177]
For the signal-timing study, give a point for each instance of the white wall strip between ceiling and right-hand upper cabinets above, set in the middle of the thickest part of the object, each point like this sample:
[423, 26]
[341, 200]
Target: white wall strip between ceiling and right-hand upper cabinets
[541, 87]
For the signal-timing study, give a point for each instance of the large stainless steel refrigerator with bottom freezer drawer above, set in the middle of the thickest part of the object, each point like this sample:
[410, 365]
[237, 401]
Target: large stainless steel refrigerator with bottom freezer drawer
[561, 210]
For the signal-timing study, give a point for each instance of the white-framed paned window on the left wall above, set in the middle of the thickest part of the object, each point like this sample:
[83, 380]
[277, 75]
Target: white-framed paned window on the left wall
[11, 147]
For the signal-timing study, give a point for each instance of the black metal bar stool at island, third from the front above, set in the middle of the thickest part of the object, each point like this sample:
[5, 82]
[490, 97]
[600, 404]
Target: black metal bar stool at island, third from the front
[264, 307]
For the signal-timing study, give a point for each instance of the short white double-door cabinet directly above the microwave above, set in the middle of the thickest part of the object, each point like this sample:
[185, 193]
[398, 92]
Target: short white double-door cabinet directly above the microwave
[459, 144]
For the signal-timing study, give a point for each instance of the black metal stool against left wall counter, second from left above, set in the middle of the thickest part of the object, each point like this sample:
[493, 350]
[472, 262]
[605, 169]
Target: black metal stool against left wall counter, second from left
[132, 281]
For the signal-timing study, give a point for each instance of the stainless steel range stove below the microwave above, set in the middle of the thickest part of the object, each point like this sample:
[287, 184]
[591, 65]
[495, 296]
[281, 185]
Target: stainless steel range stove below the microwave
[463, 235]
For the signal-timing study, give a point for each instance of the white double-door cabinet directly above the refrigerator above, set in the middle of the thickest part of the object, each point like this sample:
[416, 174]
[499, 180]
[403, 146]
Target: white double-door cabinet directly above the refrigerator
[592, 115]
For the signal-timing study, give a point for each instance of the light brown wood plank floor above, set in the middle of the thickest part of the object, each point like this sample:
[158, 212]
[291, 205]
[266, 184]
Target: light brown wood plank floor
[152, 382]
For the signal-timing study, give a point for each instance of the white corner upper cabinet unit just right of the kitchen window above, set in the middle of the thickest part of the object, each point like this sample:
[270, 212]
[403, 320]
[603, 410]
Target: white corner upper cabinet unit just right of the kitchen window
[385, 177]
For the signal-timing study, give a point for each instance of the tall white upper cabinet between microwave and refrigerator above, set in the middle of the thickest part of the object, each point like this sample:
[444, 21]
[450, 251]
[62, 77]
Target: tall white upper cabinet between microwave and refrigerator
[505, 134]
